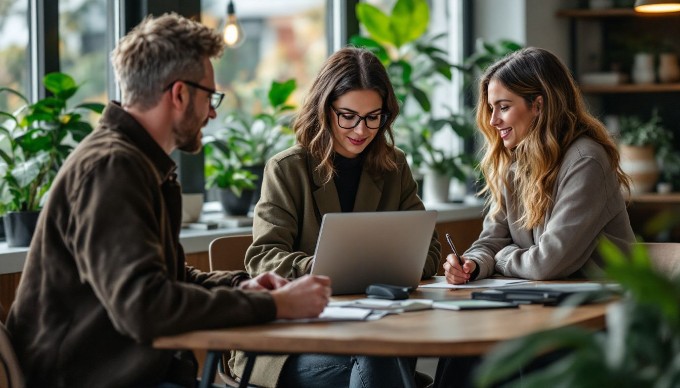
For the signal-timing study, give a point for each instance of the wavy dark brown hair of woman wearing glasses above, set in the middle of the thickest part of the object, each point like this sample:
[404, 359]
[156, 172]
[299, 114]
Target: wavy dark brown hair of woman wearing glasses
[346, 70]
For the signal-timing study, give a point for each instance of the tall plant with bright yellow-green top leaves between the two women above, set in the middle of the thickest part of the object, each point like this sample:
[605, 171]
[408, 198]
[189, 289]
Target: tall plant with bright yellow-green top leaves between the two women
[415, 64]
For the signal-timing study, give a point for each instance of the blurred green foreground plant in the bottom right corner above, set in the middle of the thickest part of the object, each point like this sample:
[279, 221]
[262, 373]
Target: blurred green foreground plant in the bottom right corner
[640, 348]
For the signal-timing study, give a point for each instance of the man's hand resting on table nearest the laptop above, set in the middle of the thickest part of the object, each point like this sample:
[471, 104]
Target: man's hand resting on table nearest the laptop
[304, 297]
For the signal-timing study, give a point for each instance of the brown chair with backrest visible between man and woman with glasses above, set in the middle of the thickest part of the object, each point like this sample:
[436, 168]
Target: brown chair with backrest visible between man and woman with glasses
[228, 254]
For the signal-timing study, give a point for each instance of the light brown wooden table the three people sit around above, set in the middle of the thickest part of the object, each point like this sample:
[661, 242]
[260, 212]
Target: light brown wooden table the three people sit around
[427, 333]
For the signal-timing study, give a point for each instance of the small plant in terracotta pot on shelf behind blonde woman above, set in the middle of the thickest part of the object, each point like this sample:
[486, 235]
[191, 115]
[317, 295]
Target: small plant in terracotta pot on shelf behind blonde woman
[640, 142]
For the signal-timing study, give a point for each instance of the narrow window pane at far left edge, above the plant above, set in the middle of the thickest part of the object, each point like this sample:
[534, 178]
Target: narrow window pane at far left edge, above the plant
[13, 52]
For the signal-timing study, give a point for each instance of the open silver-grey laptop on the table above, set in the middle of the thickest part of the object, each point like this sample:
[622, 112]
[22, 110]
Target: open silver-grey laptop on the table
[359, 249]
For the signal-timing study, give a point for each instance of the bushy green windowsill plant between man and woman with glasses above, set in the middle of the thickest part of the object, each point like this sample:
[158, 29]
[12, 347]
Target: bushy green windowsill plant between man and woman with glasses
[248, 140]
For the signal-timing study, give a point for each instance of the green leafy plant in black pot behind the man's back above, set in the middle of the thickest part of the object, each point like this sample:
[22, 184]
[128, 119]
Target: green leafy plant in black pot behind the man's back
[34, 142]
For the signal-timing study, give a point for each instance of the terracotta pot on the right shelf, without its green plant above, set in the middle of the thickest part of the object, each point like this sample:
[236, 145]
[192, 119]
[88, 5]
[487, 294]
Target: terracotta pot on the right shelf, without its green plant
[640, 164]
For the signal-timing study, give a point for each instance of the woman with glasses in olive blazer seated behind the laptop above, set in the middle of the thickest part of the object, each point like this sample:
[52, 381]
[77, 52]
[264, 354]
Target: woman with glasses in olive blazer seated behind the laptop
[344, 161]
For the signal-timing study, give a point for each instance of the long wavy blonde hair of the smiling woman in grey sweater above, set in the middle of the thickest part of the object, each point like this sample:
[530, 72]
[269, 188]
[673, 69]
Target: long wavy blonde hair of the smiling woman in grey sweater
[562, 118]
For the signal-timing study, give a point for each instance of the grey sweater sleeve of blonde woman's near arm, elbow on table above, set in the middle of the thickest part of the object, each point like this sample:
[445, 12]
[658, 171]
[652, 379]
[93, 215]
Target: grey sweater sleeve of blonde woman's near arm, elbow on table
[581, 210]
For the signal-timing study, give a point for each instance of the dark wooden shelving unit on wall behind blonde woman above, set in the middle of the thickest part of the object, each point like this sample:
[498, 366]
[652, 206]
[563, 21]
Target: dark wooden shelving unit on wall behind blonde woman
[603, 32]
